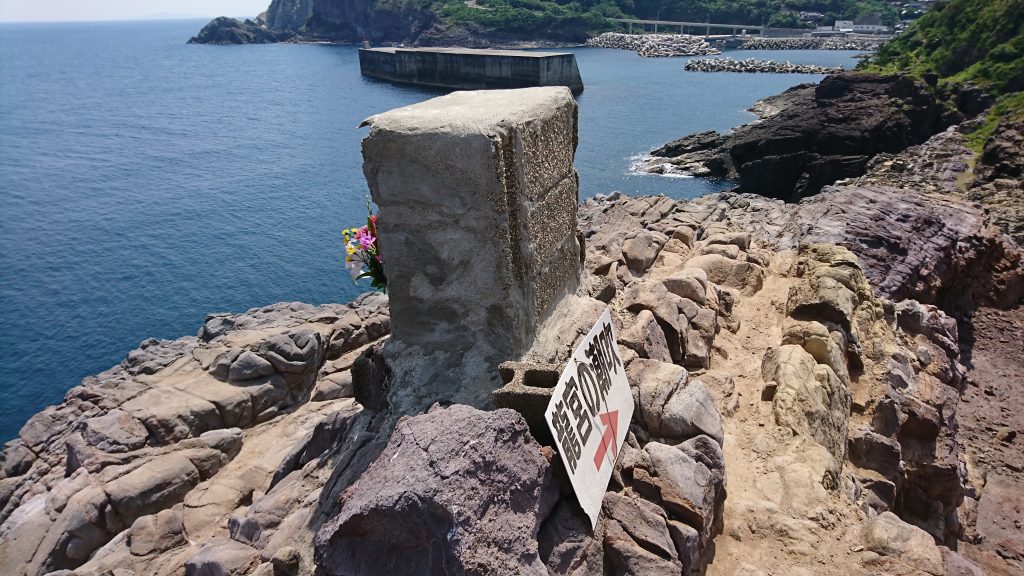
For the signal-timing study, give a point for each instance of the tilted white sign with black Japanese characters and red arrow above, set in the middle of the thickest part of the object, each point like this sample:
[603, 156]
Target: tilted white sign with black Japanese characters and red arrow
[589, 415]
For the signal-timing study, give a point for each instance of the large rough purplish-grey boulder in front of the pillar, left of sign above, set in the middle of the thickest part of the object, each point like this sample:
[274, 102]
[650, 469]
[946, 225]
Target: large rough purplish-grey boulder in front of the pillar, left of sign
[467, 497]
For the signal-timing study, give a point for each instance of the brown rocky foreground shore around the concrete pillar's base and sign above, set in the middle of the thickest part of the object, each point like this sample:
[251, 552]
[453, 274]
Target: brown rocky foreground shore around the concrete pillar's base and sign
[799, 391]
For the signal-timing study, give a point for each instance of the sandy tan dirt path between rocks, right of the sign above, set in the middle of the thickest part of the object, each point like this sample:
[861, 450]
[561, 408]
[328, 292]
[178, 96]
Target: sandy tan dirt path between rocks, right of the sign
[804, 540]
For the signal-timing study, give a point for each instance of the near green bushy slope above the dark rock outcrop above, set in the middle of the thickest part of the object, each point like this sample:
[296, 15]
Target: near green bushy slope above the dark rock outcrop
[980, 42]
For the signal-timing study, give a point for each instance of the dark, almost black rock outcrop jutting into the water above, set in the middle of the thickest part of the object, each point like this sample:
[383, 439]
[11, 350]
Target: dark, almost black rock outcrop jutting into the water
[816, 136]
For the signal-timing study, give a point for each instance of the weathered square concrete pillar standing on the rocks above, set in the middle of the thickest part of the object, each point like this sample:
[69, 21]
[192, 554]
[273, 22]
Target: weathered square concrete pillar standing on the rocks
[478, 199]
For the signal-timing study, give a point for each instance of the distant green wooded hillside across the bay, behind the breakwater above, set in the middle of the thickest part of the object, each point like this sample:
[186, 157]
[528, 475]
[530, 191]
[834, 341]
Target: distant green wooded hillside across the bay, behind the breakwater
[579, 19]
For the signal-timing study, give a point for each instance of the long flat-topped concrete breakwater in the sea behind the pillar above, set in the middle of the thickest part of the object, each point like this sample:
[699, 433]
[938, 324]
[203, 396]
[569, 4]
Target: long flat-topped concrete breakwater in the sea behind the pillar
[464, 69]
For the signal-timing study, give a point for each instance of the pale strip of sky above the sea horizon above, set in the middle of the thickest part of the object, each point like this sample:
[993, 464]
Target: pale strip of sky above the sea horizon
[63, 11]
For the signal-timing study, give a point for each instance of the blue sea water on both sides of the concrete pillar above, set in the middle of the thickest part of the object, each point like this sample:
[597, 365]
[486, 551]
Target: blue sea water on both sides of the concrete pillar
[145, 183]
